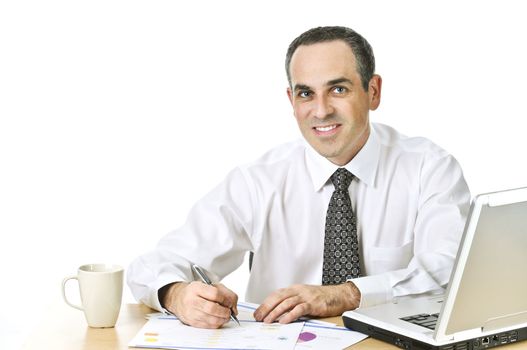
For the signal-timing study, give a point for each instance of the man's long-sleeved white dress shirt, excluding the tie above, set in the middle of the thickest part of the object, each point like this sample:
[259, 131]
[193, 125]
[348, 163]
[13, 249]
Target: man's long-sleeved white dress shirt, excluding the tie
[409, 196]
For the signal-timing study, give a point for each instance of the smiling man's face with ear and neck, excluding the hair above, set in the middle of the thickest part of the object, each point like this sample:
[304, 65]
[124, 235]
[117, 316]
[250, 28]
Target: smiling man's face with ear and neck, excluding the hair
[329, 102]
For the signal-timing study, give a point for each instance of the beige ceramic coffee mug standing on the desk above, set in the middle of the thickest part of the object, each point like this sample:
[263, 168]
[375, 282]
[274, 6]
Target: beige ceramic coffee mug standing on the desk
[101, 290]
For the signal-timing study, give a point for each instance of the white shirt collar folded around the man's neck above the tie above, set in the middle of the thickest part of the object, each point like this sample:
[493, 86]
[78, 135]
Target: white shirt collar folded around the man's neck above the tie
[363, 165]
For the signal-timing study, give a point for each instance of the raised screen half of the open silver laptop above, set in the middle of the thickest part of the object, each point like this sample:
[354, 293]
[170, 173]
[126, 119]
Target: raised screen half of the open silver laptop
[491, 284]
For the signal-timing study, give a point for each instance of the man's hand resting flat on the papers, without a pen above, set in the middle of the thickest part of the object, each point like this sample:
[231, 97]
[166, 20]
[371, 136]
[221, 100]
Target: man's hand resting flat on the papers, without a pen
[289, 304]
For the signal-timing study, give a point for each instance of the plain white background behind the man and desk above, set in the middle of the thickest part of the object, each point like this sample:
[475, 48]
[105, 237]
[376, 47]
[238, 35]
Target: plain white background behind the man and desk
[116, 116]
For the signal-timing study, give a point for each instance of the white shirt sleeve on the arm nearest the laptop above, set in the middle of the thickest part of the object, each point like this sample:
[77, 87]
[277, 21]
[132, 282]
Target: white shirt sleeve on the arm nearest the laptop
[444, 200]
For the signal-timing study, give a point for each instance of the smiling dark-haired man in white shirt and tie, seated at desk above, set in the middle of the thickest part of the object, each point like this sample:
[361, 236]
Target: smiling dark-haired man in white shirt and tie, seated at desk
[354, 215]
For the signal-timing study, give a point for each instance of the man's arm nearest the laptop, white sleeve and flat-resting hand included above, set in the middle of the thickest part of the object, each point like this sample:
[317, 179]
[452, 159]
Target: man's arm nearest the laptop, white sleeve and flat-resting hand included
[443, 207]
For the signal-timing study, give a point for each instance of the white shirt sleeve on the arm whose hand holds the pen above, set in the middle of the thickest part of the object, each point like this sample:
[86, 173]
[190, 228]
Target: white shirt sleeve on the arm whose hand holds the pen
[214, 236]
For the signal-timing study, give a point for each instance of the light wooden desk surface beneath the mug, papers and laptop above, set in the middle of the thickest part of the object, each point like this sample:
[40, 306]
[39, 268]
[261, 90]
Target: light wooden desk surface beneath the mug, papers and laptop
[66, 328]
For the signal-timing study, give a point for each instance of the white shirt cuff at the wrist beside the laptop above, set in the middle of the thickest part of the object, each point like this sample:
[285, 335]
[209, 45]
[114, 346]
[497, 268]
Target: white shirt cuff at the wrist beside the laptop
[374, 290]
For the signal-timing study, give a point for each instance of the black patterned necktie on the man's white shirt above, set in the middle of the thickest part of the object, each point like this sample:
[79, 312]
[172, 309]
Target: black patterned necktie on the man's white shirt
[341, 247]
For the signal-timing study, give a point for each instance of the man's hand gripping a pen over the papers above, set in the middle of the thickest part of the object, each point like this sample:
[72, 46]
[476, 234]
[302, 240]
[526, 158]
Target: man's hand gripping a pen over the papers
[198, 304]
